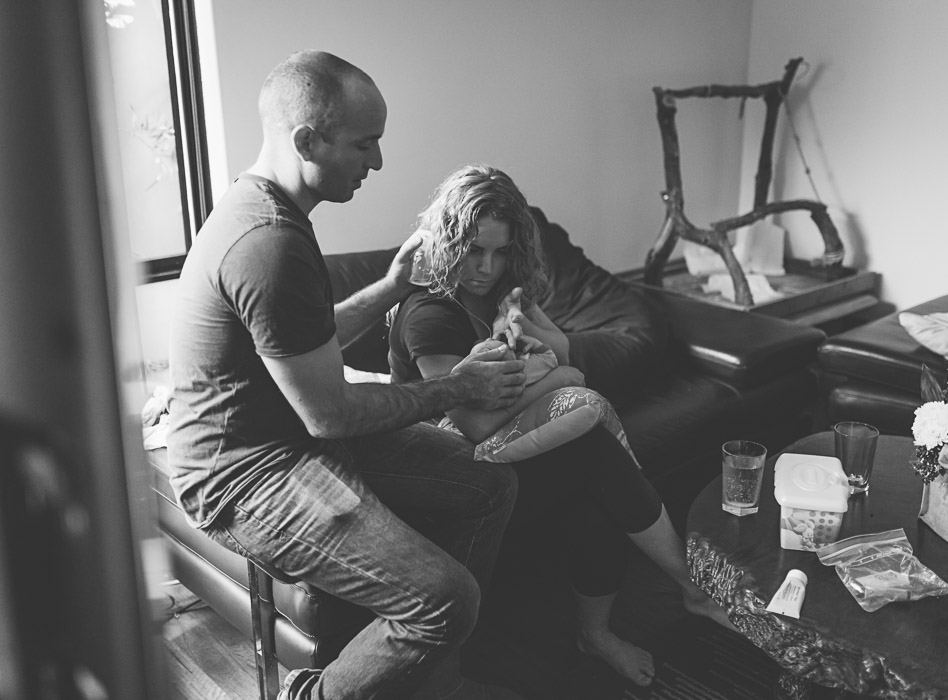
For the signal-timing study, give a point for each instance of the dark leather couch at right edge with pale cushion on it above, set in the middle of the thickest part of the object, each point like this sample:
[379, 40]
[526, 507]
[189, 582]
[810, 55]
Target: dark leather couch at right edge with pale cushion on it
[873, 373]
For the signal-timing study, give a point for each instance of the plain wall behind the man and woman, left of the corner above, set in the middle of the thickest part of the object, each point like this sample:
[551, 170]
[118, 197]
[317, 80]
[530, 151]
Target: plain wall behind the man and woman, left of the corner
[558, 94]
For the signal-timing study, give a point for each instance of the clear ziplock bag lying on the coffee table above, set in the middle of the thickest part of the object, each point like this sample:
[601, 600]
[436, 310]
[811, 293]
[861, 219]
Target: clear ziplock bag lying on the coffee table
[879, 568]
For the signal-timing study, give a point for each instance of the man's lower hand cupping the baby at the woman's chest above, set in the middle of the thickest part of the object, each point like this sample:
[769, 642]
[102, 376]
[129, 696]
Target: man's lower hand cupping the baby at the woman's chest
[492, 381]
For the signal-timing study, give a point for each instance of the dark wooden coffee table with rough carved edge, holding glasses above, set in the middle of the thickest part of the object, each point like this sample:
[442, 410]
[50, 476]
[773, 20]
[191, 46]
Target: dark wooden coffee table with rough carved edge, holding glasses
[899, 651]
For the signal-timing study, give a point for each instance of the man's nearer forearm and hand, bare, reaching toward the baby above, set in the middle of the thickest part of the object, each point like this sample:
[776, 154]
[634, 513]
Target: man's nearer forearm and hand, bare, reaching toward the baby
[330, 407]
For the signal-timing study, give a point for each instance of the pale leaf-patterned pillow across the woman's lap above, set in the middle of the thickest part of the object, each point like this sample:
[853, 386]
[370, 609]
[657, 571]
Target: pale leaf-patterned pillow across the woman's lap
[552, 420]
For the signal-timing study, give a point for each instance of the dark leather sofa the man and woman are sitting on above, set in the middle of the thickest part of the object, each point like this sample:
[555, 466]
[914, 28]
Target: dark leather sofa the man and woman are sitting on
[684, 376]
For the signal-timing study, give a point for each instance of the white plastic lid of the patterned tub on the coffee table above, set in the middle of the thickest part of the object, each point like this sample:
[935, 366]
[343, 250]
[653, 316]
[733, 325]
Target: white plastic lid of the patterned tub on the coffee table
[811, 482]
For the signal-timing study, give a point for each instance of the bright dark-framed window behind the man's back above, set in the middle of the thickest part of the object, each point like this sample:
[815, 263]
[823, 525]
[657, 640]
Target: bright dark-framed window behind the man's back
[158, 98]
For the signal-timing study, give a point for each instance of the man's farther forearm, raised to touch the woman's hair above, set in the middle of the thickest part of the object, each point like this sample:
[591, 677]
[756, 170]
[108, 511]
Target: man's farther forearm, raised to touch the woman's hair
[357, 313]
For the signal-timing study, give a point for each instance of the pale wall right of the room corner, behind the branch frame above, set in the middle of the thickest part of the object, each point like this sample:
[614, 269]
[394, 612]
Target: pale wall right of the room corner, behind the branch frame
[870, 117]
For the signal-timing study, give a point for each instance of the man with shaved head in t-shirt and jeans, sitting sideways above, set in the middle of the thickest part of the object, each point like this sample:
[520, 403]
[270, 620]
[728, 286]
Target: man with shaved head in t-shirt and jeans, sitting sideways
[275, 456]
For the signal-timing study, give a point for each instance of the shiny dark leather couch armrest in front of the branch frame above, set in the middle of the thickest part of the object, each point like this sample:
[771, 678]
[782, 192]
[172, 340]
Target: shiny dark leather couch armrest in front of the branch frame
[740, 347]
